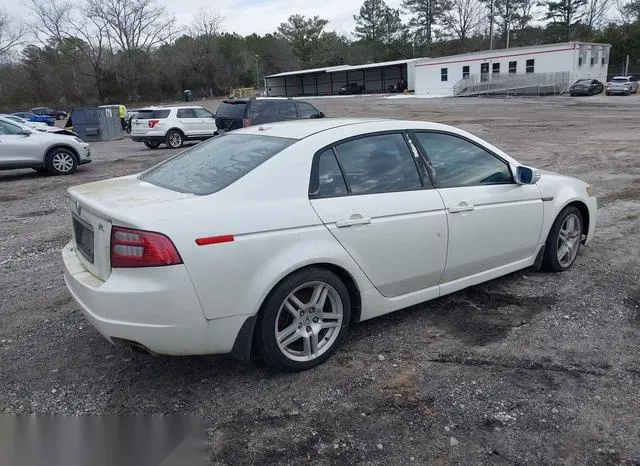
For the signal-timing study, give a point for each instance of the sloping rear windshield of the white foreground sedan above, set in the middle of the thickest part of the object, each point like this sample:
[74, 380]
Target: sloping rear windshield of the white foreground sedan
[213, 165]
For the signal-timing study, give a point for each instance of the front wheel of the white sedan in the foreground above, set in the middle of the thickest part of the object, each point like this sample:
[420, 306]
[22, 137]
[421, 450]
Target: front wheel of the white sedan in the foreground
[563, 242]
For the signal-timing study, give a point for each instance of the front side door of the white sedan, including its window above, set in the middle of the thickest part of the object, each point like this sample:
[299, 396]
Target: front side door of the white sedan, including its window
[493, 221]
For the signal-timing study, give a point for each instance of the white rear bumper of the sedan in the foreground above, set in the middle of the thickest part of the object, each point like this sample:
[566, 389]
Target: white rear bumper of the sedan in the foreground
[156, 308]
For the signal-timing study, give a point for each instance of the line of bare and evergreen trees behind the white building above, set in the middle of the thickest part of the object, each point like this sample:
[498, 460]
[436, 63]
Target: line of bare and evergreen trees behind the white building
[112, 51]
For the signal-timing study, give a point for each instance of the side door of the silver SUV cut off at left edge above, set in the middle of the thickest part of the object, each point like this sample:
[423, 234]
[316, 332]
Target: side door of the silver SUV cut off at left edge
[17, 148]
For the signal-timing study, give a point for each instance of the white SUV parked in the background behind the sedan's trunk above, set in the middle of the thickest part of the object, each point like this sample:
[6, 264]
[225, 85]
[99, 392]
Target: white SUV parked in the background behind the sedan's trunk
[172, 125]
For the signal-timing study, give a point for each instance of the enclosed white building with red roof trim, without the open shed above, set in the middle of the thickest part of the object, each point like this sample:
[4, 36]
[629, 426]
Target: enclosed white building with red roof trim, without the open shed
[553, 63]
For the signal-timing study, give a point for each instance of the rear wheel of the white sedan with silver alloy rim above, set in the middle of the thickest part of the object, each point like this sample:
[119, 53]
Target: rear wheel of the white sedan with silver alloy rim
[304, 320]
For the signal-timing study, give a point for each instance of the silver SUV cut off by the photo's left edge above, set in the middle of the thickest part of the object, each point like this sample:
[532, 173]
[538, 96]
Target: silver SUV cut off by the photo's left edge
[24, 147]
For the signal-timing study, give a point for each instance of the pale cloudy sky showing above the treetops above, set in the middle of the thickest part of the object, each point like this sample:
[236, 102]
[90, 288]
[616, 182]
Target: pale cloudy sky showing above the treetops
[248, 16]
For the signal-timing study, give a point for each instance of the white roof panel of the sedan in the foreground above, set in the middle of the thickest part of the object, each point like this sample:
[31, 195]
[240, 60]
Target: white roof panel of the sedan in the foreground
[300, 129]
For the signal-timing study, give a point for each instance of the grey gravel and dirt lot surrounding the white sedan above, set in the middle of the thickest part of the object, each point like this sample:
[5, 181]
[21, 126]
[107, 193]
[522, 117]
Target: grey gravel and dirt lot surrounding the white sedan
[528, 368]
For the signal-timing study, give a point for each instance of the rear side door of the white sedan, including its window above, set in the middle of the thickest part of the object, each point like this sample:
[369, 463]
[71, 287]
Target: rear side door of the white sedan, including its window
[383, 212]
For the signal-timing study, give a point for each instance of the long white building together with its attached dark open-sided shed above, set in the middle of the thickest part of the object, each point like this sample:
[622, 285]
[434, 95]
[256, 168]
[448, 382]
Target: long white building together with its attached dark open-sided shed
[542, 68]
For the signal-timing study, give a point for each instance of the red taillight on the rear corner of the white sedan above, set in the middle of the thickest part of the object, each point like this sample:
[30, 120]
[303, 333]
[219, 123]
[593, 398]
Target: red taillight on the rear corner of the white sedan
[138, 248]
